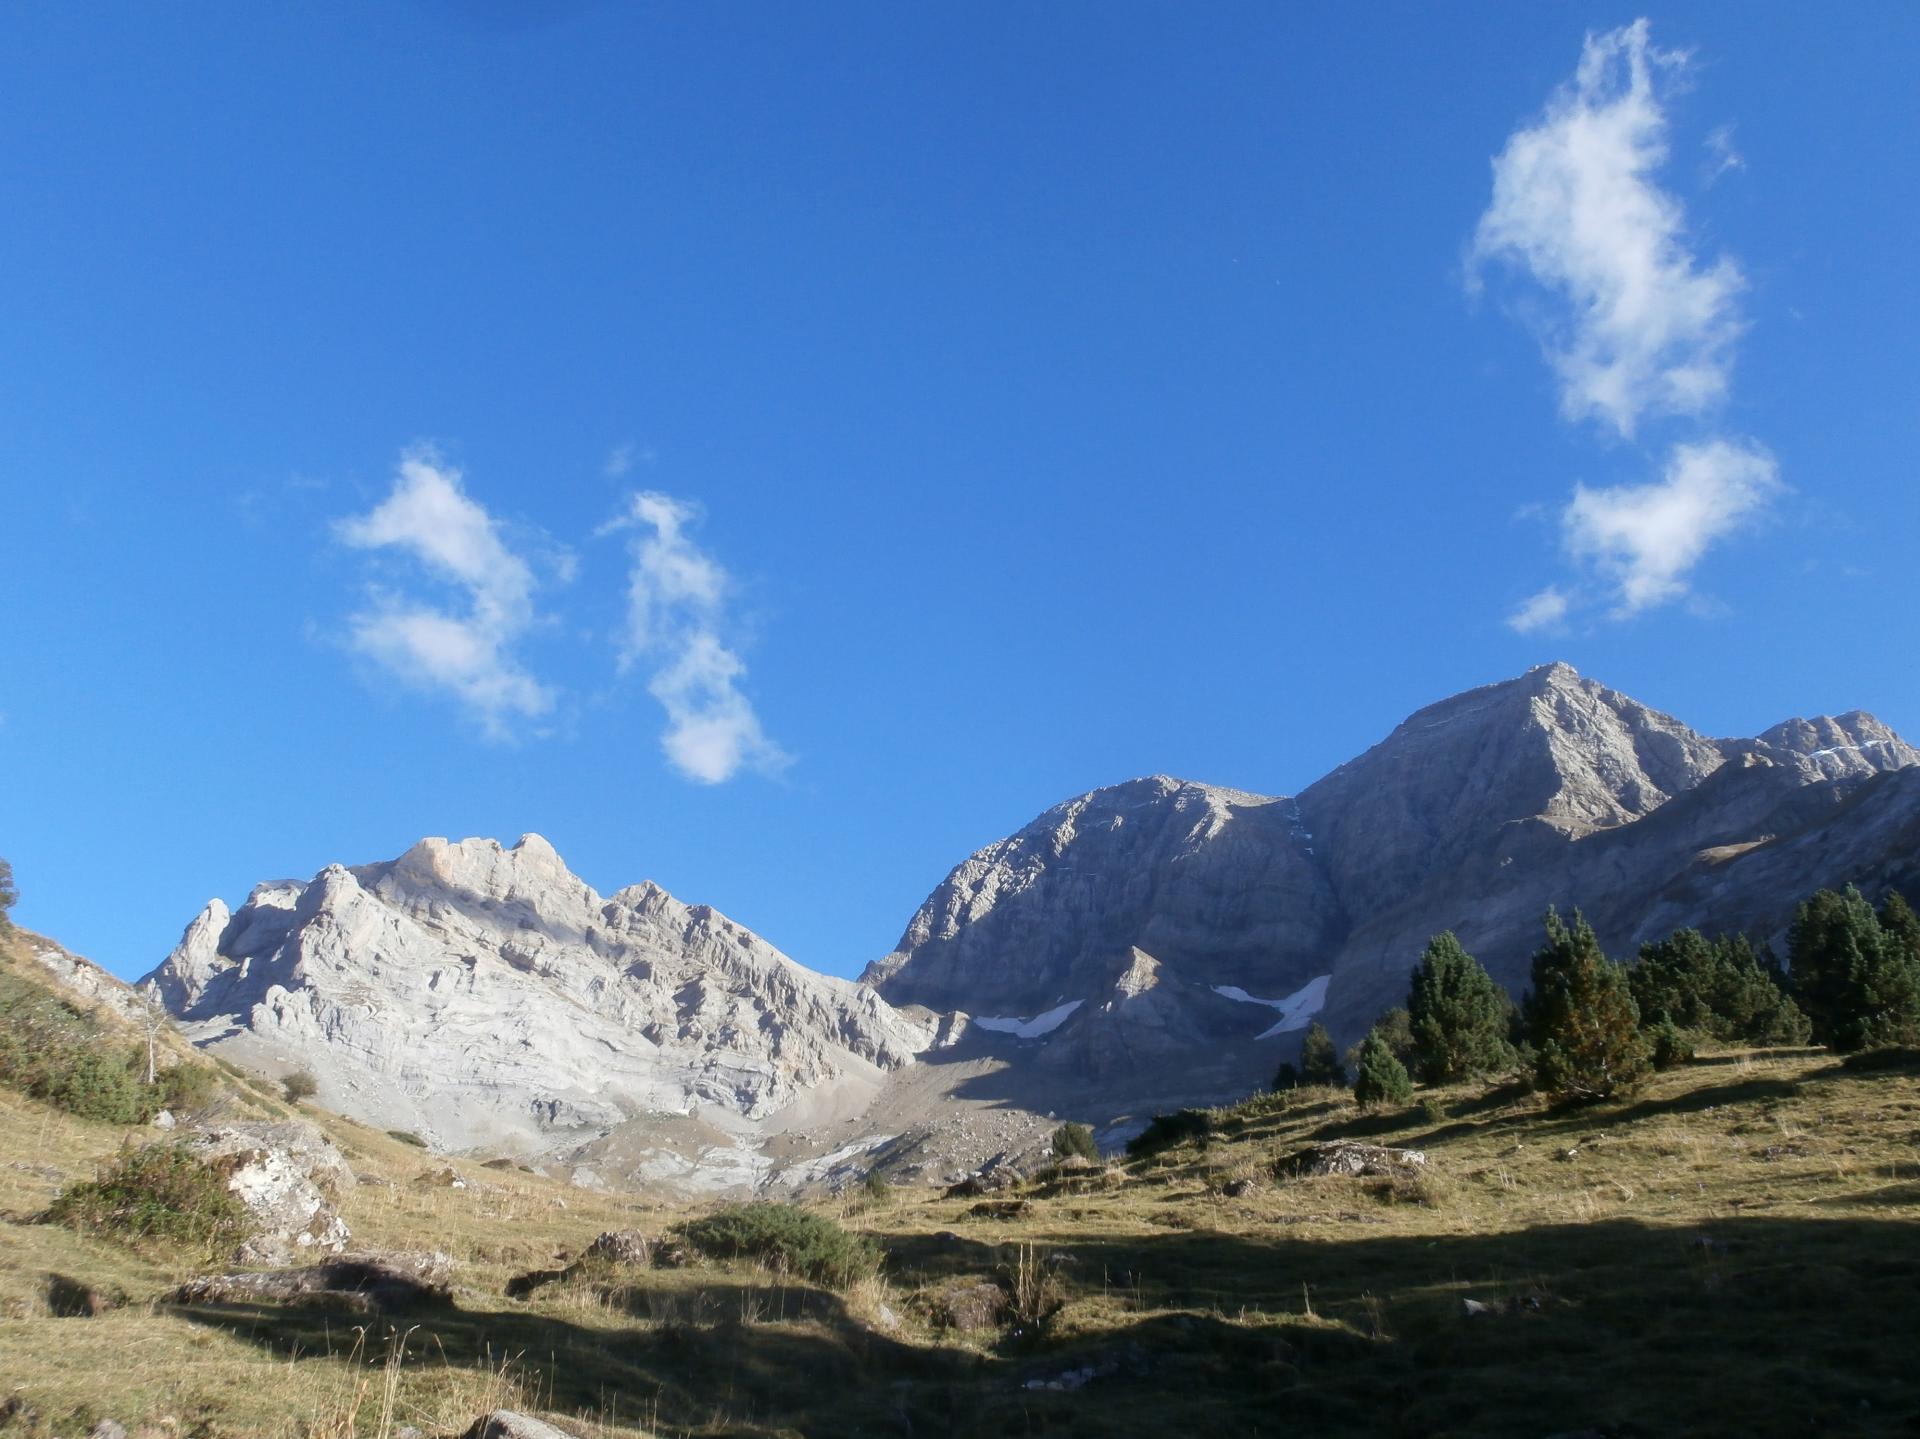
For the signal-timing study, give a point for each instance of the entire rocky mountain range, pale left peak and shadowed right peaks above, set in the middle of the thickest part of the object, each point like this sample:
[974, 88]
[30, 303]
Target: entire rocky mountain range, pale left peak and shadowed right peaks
[1132, 950]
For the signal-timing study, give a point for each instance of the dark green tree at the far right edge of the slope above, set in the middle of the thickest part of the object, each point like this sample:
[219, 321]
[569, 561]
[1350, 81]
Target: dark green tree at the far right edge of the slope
[1858, 973]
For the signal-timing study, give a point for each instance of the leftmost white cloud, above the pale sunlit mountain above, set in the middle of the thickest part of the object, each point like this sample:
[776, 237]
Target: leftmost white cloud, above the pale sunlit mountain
[468, 650]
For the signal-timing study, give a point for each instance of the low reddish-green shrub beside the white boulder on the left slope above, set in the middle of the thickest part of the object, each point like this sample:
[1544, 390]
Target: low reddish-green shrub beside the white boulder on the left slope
[158, 1194]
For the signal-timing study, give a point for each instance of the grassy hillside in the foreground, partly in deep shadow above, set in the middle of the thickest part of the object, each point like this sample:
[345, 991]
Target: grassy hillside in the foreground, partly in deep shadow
[1731, 1252]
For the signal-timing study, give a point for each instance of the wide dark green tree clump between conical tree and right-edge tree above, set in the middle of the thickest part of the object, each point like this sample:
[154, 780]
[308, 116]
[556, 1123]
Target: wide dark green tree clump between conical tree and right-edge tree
[1719, 988]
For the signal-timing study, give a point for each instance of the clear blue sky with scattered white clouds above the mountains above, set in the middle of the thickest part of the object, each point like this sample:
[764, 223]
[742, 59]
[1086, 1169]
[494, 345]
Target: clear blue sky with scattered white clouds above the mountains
[779, 451]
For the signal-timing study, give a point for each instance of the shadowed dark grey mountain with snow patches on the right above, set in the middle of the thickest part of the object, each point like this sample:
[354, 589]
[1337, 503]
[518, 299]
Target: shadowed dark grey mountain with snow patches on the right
[1163, 929]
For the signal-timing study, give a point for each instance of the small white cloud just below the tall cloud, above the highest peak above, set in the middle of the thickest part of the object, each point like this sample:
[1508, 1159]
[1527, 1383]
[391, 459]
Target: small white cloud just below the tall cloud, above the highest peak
[1646, 539]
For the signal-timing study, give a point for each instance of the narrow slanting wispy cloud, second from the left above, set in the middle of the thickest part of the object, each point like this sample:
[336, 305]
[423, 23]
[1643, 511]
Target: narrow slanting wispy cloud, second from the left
[677, 618]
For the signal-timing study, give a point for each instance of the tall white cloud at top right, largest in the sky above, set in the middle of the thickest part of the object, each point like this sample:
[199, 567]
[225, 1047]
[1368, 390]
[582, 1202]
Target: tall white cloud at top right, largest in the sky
[1648, 328]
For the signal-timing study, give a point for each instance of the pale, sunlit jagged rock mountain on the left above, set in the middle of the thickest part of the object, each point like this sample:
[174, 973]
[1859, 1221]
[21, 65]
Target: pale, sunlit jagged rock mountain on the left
[487, 996]
